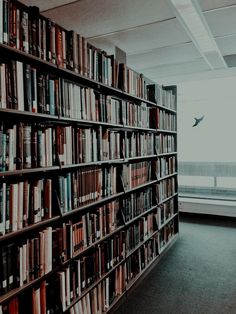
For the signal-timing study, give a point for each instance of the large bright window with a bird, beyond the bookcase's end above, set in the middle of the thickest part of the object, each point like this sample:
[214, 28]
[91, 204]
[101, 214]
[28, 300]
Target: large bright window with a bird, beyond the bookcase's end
[207, 152]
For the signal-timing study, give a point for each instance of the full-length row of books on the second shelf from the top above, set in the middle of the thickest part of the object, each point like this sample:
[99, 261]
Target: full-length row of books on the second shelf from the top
[25, 88]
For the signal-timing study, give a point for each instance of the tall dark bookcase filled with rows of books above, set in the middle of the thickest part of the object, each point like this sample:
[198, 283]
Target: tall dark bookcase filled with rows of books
[88, 170]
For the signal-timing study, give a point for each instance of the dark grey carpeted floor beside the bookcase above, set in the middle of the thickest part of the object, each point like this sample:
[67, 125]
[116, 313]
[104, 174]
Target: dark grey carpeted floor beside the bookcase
[196, 276]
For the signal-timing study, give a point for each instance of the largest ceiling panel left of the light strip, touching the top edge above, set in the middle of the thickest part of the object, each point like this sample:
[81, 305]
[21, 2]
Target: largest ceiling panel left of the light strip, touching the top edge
[92, 18]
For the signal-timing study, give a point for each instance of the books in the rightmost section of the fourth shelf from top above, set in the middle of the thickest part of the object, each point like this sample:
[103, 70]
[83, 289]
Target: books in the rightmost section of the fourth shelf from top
[165, 166]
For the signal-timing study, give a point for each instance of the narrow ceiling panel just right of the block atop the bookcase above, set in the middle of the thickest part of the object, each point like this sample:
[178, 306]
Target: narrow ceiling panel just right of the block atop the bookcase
[166, 55]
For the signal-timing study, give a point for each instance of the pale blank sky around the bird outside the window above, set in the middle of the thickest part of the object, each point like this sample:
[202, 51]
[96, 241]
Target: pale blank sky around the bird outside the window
[214, 139]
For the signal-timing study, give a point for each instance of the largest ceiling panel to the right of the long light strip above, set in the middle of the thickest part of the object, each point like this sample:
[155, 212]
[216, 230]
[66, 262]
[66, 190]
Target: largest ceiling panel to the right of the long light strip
[222, 22]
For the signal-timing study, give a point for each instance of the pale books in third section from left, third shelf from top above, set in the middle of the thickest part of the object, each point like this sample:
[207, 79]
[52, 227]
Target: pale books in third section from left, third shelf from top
[139, 144]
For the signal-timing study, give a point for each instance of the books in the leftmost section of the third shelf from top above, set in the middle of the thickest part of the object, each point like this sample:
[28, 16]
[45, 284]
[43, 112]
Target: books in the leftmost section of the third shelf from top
[25, 146]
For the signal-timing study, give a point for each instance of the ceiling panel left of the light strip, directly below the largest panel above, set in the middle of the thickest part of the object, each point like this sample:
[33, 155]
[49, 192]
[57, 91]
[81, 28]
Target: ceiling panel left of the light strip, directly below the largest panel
[153, 36]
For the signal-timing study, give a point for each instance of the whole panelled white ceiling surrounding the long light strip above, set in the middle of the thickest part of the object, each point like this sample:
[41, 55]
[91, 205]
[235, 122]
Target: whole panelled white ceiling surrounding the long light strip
[149, 32]
